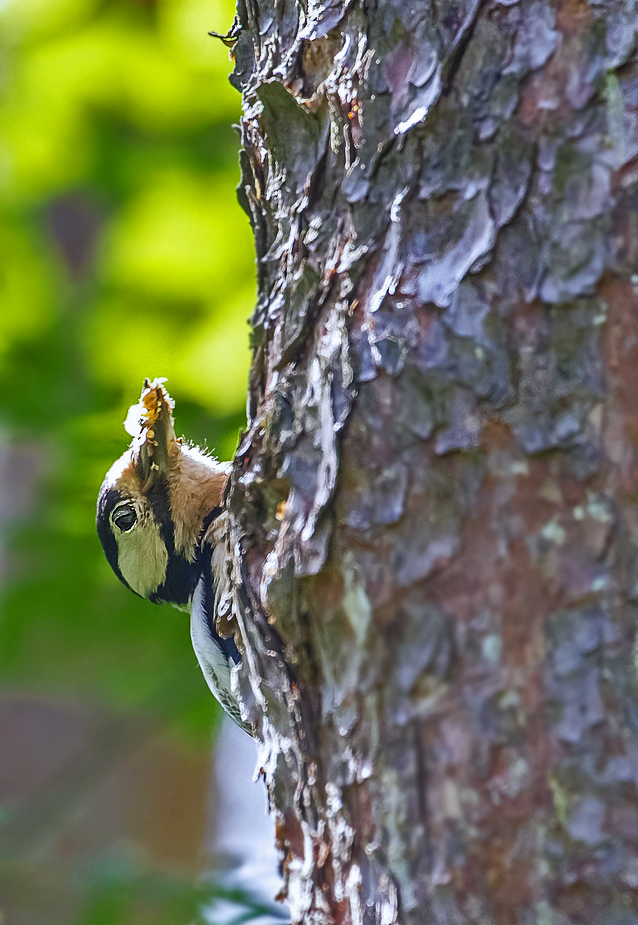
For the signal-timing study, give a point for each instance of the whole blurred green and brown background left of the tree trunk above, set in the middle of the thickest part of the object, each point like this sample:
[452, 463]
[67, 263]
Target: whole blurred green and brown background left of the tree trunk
[123, 254]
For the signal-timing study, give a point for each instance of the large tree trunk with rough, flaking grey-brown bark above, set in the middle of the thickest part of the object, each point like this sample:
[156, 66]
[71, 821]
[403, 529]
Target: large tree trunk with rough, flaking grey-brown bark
[434, 511]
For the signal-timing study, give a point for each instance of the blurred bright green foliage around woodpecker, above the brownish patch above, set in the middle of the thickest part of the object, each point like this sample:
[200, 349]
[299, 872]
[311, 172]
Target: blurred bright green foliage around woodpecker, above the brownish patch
[123, 254]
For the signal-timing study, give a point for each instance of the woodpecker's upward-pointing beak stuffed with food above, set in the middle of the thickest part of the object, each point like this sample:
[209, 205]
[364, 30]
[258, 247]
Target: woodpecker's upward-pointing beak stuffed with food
[150, 423]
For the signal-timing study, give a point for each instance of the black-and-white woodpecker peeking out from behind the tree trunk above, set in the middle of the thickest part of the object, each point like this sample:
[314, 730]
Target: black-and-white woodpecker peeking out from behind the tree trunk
[160, 519]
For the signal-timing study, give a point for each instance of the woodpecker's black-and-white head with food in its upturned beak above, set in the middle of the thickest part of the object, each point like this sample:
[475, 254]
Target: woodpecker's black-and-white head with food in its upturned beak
[156, 502]
